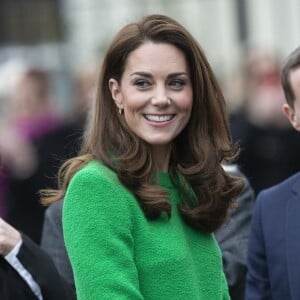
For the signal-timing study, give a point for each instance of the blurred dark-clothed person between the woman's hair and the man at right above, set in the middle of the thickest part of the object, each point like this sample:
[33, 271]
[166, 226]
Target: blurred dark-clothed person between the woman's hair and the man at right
[269, 147]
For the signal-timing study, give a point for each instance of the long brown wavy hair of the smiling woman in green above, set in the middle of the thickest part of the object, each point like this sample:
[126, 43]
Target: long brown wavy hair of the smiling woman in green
[197, 152]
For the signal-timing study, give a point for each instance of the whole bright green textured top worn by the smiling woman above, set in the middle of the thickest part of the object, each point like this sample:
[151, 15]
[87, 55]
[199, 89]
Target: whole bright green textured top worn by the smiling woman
[116, 253]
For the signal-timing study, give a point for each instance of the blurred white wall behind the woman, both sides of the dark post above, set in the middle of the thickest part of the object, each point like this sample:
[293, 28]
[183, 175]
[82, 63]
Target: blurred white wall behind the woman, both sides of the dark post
[273, 24]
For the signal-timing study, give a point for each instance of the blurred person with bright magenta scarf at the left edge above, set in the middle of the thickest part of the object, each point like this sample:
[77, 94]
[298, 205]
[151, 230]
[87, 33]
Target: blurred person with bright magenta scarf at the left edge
[31, 116]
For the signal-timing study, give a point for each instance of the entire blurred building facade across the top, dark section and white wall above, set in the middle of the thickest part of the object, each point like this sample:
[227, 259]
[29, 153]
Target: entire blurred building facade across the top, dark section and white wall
[62, 34]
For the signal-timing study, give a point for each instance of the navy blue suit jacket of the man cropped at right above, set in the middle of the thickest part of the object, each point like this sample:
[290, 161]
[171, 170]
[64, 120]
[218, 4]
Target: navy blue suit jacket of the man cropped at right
[274, 245]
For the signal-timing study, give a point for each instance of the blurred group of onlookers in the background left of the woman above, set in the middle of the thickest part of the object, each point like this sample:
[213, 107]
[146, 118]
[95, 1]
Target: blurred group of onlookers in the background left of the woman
[35, 138]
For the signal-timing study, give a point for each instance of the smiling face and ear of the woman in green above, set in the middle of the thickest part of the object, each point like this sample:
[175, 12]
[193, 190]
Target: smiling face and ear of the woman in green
[155, 92]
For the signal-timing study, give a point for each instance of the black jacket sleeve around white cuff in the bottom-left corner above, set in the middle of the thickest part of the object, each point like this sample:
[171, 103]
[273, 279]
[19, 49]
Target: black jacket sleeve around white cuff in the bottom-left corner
[40, 266]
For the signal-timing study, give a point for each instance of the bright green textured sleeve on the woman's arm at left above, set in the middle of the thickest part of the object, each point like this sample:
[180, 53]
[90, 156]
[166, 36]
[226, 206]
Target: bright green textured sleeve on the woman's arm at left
[97, 227]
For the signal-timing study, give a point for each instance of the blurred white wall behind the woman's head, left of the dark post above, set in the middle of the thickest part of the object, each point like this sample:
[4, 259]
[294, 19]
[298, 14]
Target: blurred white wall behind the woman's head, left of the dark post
[92, 23]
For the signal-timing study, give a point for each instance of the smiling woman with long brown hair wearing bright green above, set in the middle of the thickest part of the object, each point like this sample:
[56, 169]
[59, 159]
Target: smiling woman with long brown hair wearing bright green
[142, 200]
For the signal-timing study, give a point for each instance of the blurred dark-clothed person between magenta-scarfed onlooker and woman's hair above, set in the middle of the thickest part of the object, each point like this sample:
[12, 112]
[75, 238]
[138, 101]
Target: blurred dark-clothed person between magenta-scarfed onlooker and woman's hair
[65, 141]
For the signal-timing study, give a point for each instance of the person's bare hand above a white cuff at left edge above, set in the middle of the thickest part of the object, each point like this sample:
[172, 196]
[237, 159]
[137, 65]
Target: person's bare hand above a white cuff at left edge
[9, 237]
